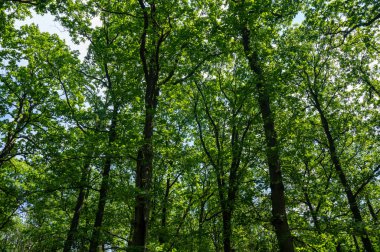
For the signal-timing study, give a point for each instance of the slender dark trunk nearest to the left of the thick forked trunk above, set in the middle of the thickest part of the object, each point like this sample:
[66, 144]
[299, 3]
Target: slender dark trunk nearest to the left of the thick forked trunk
[94, 243]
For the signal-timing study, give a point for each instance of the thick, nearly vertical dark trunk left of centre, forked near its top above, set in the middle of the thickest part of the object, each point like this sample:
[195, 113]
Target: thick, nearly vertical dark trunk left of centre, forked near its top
[144, 165]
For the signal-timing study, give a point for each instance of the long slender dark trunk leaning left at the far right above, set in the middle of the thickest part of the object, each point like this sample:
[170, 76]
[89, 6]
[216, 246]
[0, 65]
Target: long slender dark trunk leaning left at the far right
[342, 177]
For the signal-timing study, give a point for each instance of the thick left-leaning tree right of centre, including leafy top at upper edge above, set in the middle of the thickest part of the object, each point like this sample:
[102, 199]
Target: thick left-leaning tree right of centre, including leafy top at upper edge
[256, 52]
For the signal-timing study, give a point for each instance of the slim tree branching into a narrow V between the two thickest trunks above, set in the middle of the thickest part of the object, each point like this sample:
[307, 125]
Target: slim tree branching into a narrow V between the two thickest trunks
[227, 118]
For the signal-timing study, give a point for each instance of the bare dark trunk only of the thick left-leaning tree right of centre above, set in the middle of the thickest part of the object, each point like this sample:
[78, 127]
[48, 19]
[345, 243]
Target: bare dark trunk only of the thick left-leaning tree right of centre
[279, 216]
